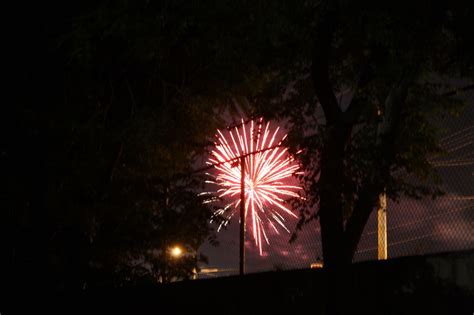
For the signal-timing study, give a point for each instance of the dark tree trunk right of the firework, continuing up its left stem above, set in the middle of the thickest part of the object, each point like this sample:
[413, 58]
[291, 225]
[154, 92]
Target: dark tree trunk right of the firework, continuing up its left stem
[332, 156]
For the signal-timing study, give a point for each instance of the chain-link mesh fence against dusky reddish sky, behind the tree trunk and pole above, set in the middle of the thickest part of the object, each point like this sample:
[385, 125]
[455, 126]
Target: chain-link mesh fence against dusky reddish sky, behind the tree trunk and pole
[413, 227]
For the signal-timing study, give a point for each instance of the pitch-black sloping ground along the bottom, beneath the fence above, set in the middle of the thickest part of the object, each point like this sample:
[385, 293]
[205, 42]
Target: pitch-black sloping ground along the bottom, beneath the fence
[435, 284]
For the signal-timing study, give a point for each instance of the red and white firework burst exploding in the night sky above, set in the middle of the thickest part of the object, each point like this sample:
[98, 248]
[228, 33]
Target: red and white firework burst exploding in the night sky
[267, 166]
